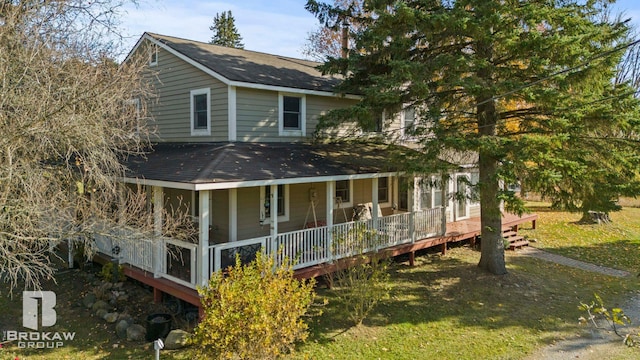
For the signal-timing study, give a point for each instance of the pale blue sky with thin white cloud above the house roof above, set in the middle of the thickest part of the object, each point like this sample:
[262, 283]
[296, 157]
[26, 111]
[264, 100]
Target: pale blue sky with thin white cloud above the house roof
[273, 26]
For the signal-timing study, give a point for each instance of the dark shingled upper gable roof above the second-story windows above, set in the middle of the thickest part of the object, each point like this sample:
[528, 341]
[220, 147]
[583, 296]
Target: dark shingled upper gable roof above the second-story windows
[251, 66]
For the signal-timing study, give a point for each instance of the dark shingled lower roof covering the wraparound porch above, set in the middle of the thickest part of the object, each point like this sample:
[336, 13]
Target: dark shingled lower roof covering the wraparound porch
[224, 162]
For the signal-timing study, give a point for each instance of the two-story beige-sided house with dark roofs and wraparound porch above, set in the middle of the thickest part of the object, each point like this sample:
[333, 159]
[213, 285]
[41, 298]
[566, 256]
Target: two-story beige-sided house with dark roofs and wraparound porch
[234, 144]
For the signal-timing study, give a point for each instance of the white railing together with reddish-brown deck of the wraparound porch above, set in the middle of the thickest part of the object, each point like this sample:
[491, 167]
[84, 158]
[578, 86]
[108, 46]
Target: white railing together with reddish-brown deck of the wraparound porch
[313, 252]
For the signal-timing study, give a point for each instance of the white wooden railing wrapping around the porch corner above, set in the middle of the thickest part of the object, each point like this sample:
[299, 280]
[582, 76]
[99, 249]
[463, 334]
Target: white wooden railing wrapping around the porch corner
[179, 260]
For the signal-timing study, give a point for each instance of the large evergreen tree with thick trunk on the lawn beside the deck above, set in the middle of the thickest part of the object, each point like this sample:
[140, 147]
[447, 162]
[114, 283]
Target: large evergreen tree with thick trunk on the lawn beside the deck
[527, 86]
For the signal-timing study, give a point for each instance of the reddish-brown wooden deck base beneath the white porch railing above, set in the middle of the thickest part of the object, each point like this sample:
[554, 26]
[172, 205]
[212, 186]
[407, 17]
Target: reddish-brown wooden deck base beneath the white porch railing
[468, 229]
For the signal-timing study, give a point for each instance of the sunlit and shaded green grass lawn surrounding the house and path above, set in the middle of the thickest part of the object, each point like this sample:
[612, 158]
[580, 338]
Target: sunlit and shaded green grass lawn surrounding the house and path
[442, 308]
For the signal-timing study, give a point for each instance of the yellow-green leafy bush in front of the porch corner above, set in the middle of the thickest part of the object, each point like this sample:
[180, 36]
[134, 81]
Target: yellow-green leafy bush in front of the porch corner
[253, 311]
